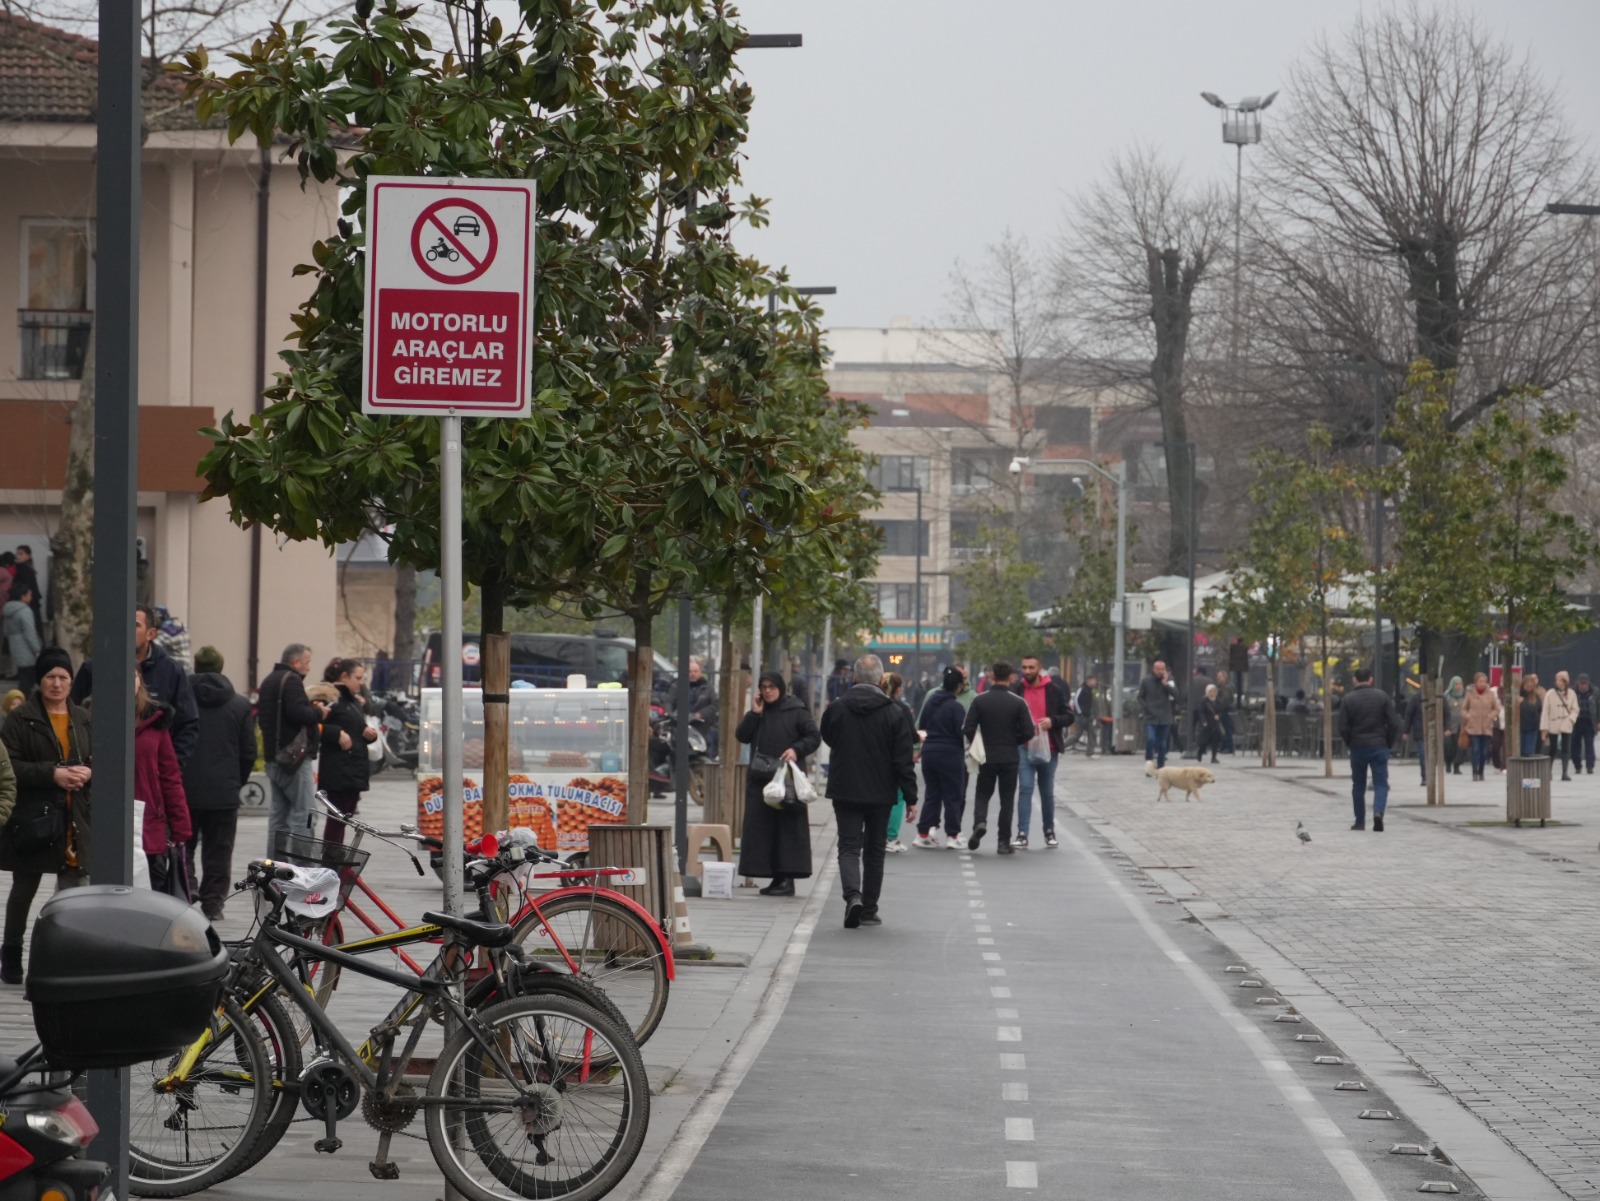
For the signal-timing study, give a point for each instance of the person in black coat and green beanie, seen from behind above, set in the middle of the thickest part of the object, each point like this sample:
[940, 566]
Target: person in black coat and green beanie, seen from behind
[222, 764]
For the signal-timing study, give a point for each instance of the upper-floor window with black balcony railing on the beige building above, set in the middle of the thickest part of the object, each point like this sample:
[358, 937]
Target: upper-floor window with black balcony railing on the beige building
[58, 292]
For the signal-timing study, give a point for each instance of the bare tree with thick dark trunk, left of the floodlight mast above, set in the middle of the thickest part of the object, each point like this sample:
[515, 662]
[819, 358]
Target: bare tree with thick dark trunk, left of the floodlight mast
[1140, 247]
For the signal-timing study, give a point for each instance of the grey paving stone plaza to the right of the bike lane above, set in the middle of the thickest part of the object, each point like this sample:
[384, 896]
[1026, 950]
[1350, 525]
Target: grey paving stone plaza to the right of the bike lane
[1471, 948]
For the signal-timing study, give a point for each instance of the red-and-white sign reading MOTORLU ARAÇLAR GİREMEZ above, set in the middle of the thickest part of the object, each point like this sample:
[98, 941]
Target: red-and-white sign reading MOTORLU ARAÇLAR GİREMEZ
[449, 298]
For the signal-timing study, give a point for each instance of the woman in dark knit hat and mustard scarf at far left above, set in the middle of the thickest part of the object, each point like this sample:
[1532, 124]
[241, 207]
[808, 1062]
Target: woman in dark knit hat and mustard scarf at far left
[49, 741]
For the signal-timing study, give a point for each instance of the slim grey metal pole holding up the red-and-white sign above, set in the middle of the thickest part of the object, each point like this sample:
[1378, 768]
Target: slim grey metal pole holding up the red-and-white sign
[450, 656]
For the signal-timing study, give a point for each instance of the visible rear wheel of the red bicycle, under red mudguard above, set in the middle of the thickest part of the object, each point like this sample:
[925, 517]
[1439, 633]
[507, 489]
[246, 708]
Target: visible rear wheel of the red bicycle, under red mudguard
[610, 946]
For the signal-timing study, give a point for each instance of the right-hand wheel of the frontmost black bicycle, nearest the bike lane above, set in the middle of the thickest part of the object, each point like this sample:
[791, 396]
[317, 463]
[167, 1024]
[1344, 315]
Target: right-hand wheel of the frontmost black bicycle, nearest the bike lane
[554, 1125]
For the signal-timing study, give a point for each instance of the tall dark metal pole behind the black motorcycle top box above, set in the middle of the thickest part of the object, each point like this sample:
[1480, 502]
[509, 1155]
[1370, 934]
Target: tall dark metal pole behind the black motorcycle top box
[119, 143]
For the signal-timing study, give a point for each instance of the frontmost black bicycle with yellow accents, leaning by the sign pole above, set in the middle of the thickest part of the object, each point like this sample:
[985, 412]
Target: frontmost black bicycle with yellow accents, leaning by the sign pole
[543, 1072]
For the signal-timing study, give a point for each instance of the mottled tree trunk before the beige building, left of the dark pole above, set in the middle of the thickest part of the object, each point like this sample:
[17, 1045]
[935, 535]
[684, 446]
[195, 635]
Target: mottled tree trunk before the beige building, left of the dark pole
[73, 545]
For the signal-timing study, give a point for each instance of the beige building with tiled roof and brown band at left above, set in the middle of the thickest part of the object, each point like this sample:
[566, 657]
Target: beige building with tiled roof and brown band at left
[222, 234]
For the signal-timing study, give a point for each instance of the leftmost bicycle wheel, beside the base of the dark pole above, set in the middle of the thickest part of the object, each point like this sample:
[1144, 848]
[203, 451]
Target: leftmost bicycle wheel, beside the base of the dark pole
[188, 1135]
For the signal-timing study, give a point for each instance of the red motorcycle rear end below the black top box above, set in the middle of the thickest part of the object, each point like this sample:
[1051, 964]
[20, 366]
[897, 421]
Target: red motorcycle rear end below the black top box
[44, 1136]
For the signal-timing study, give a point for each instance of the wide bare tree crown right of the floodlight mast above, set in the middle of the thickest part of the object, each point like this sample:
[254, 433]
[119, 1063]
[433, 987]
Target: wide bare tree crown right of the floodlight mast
[1402, 212]
